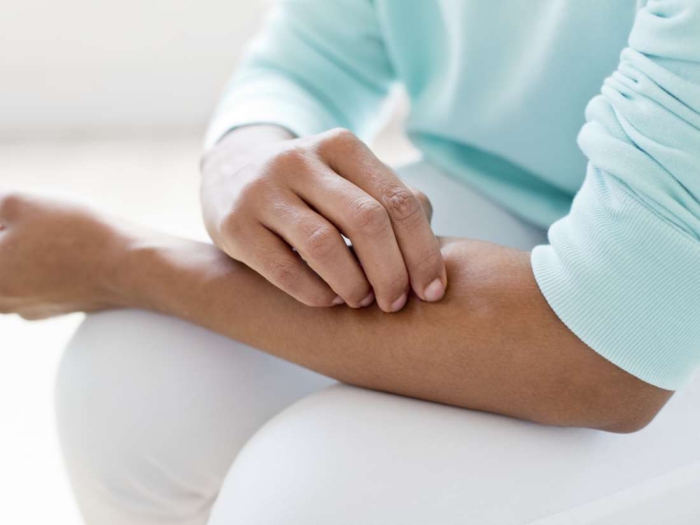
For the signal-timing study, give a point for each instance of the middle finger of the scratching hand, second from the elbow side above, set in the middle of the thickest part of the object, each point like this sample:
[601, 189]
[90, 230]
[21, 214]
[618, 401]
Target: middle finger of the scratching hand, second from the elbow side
[367, 224]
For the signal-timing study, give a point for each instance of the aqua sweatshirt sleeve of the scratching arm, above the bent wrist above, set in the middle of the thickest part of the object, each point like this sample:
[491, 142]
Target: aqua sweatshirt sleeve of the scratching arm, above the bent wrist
[316, 65]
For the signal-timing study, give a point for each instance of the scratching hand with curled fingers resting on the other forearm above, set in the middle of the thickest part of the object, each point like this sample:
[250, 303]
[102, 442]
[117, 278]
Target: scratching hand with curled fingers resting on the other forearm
[263, 197]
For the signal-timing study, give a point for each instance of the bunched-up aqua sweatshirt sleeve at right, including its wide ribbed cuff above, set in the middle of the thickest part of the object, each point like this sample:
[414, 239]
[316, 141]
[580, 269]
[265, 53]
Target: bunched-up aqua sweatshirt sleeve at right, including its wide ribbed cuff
[622, 269]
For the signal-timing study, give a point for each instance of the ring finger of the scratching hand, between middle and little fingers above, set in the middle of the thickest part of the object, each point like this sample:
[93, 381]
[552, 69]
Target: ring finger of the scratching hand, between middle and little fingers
[321, 245]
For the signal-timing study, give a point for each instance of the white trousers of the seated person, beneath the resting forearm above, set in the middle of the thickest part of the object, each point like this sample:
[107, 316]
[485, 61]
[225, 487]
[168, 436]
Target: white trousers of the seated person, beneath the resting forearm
[162, 422]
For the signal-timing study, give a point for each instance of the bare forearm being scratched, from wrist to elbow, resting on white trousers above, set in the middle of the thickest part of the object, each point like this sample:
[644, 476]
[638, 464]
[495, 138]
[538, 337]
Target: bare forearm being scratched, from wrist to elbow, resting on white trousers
[492, 344]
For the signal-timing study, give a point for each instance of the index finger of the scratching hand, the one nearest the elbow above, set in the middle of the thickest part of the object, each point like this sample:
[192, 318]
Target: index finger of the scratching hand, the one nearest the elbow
[419, 247]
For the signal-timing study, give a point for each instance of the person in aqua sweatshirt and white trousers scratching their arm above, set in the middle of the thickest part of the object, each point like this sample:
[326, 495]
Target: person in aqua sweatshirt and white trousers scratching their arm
[434, 341]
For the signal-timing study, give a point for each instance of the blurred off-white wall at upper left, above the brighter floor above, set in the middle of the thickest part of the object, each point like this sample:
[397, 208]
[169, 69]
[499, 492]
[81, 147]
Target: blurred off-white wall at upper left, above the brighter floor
[69, 66]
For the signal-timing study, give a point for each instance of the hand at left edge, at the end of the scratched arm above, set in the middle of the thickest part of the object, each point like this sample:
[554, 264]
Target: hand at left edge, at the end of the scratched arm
[55, 258]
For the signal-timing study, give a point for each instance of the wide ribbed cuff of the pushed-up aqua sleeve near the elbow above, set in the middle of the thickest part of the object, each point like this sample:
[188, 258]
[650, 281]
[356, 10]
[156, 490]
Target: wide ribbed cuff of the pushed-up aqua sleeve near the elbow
[626, 282]
